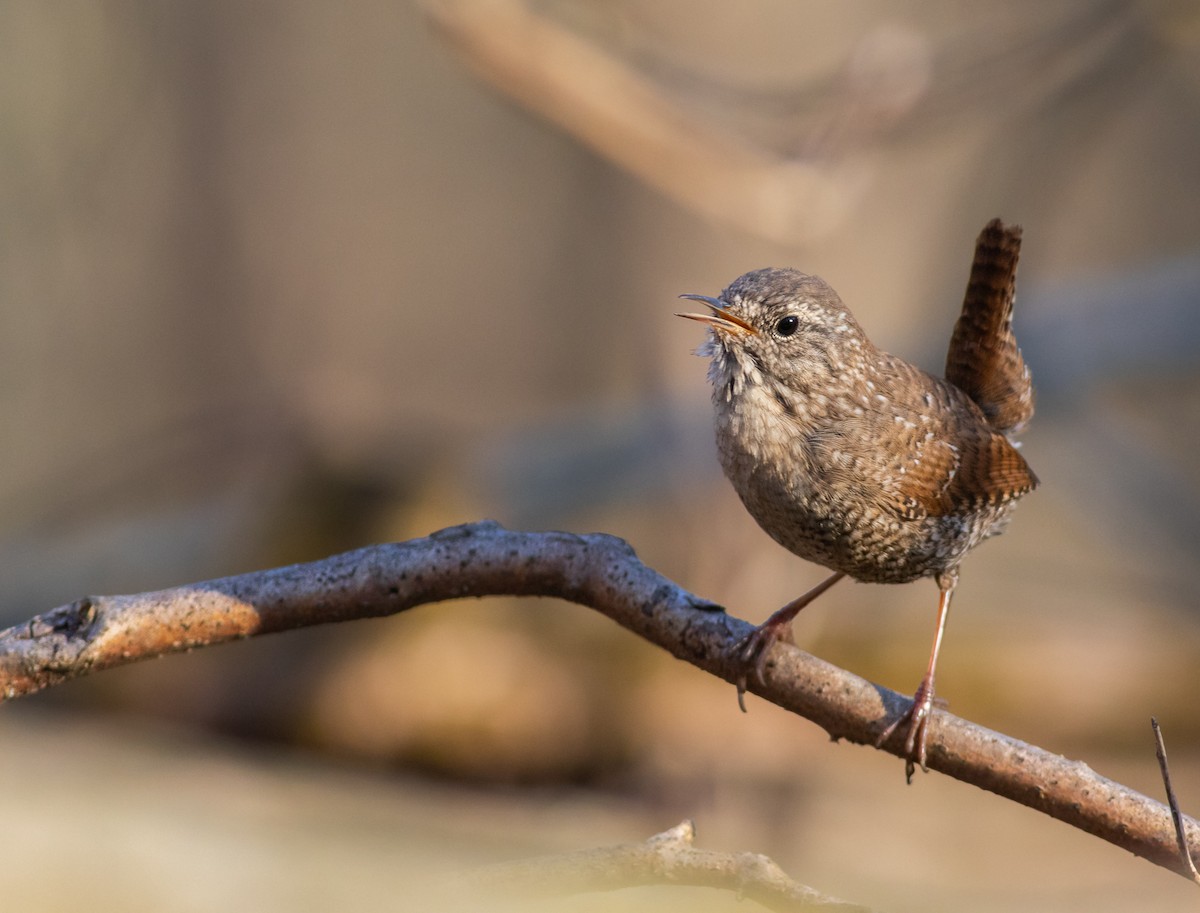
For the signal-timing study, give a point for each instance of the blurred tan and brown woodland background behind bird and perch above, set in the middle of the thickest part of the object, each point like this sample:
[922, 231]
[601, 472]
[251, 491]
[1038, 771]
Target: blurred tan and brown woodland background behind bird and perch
[280, 280]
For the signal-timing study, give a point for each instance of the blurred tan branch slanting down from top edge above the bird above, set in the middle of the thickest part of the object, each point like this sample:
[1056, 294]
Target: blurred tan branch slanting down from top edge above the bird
[626, 117]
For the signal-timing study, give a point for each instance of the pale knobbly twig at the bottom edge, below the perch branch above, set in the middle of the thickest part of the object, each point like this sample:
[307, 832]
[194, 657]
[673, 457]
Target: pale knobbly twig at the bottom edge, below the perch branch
[667, 858]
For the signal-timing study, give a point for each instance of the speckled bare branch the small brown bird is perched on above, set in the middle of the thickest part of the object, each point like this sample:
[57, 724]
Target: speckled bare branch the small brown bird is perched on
[484, 560]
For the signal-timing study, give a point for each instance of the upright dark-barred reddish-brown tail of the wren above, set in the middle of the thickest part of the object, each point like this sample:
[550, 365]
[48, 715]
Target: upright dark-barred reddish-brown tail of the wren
[985, 361]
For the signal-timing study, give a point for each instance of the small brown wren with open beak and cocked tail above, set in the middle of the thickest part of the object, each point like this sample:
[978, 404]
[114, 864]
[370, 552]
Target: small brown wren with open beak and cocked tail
[857, 460]
